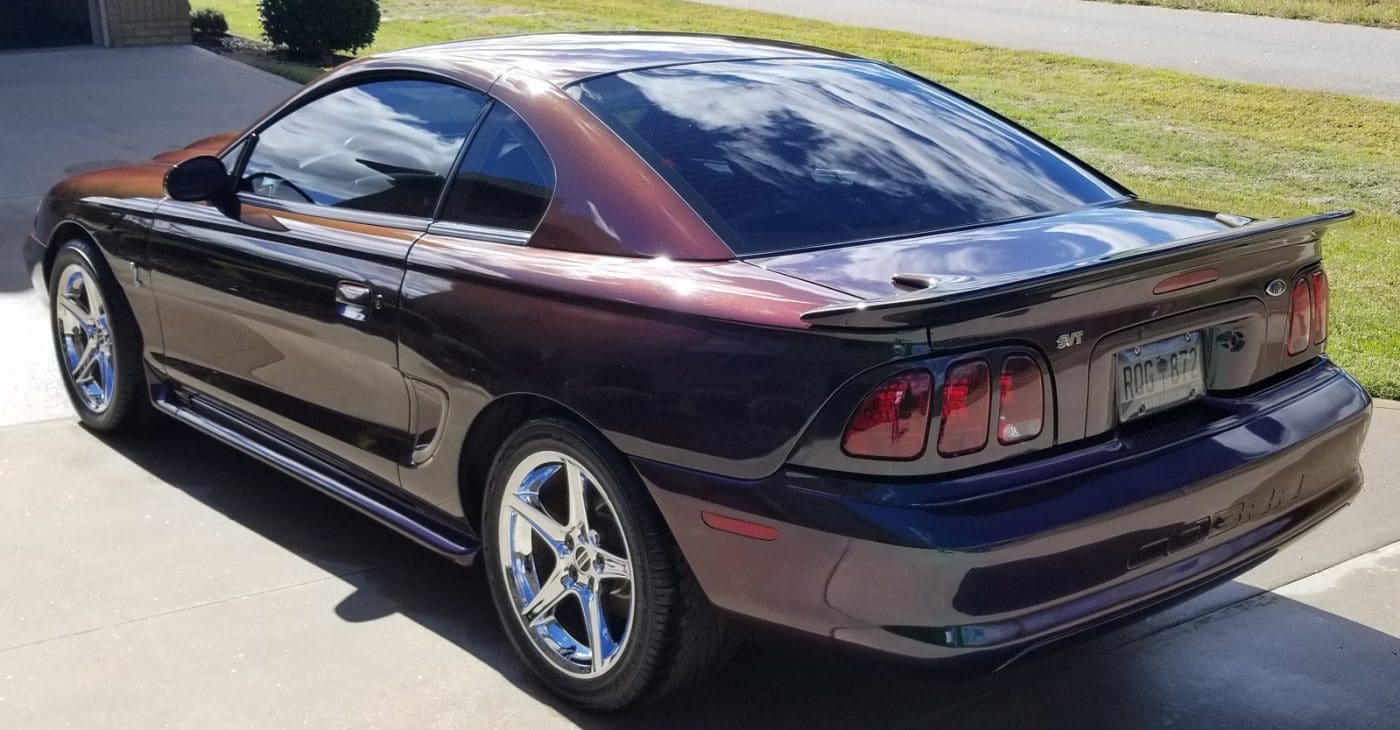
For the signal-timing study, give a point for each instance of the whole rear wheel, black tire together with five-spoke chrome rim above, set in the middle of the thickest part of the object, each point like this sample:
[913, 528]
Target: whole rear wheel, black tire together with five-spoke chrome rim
[661, 633]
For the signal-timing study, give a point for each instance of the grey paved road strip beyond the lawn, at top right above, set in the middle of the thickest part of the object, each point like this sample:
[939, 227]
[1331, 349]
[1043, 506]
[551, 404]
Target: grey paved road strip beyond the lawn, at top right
[1322, 57]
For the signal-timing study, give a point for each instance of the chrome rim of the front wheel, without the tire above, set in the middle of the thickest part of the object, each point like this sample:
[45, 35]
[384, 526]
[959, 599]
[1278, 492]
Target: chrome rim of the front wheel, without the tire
[86, 338]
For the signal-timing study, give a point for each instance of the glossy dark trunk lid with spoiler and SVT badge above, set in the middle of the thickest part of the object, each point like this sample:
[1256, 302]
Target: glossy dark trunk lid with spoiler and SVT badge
[1081, 289]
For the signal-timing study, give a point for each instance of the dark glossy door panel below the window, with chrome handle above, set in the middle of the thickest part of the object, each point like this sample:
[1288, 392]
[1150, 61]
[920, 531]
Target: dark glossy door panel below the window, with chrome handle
[253, 315]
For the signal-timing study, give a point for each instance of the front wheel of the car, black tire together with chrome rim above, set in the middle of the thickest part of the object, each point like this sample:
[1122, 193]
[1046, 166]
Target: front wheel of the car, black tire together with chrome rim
[87, 308]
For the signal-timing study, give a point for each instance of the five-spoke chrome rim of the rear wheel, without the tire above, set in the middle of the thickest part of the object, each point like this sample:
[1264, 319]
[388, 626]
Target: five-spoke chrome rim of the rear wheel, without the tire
[566, 564]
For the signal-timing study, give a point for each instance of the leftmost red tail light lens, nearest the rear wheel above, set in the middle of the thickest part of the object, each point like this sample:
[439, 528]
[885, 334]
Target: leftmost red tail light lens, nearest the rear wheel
[892, 421]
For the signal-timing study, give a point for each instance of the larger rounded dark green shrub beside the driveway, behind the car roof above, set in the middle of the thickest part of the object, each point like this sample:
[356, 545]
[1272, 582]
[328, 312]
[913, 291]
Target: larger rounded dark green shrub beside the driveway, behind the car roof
[316, 29]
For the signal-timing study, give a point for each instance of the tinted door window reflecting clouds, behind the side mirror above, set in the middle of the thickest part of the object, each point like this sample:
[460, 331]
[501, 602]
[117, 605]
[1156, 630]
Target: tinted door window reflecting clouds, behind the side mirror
[383, 146]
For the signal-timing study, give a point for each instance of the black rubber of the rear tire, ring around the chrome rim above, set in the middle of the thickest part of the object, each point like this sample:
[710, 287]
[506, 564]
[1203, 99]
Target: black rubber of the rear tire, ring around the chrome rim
[629, 679]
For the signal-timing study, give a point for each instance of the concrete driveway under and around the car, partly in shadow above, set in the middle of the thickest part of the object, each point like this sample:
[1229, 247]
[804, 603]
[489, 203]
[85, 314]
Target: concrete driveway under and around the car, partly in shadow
[167, 581]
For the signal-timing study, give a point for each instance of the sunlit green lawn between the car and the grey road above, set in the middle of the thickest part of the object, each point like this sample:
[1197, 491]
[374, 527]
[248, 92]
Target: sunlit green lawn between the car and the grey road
[1170, 137]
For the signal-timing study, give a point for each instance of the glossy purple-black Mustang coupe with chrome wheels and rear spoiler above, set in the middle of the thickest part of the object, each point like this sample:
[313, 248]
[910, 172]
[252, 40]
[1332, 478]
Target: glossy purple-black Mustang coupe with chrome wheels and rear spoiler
[680, 336]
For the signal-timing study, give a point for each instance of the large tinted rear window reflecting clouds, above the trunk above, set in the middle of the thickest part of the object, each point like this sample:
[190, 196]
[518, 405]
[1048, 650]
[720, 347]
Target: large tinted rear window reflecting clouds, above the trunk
[786, 155]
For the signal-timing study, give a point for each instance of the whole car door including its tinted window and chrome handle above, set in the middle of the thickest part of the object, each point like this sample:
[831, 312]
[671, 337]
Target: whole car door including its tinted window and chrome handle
[285, 306]
